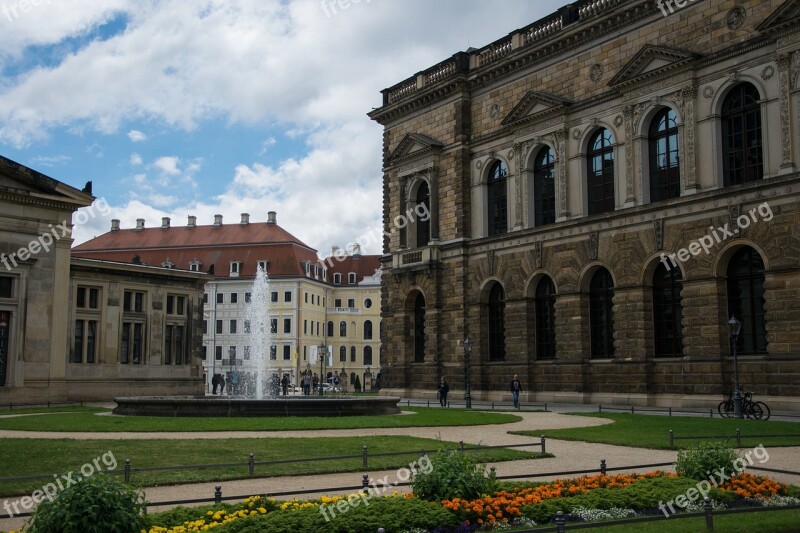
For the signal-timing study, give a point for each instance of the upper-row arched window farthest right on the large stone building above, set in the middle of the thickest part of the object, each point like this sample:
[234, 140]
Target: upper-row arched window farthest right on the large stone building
[742, 158]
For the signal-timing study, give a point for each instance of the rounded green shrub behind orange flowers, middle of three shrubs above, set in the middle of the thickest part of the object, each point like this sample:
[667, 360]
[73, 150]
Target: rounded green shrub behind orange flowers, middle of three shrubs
[453, 475]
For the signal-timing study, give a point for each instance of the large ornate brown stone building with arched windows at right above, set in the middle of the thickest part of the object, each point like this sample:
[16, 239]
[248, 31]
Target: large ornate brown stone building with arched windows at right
[607, 187]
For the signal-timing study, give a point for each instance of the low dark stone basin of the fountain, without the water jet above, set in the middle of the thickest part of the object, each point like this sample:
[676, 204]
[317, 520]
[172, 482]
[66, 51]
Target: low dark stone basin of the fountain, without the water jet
[244, 407]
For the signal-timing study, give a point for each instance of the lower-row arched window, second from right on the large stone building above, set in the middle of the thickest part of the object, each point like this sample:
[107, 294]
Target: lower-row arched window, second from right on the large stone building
[667, 312]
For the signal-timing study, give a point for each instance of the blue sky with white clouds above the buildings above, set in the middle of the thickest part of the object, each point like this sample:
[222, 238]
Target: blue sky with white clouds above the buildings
[176, 108]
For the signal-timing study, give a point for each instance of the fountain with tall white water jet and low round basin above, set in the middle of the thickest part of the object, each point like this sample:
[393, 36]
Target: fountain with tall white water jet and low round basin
[257, 400]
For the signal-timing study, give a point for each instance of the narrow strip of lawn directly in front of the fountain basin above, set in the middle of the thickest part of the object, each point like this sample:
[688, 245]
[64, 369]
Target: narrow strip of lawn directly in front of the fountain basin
[90, 421]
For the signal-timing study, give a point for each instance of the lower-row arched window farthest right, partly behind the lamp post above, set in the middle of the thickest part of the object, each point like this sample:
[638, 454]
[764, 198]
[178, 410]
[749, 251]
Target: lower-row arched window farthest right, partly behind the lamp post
[746, 299]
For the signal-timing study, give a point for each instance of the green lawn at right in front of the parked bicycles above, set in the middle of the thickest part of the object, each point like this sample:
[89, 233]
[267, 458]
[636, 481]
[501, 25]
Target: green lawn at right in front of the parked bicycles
[647, 431]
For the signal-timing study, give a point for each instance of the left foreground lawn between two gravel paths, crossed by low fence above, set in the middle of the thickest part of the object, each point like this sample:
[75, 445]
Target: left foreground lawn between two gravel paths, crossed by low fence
[21, 457]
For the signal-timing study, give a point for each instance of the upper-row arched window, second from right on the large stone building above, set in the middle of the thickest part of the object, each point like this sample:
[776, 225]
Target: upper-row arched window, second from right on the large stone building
[665, 173]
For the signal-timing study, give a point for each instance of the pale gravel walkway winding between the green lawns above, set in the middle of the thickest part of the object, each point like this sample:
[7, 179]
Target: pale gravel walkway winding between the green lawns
[569, 455]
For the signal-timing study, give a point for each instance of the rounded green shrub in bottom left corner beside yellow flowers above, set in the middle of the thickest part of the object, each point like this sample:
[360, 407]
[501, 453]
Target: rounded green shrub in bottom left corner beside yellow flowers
[97, 504]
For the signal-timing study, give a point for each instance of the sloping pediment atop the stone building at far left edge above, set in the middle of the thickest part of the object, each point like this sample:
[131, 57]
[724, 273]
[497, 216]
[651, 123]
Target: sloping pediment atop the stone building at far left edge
[18, 179]
